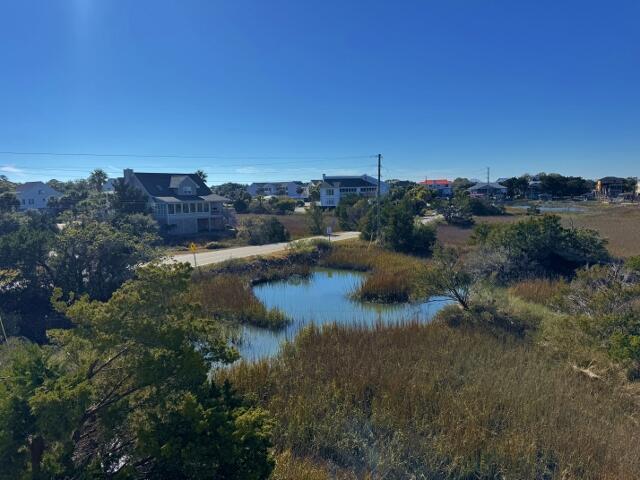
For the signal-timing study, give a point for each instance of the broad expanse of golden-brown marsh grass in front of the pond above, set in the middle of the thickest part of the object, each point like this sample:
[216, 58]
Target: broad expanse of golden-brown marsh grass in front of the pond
[432, 401]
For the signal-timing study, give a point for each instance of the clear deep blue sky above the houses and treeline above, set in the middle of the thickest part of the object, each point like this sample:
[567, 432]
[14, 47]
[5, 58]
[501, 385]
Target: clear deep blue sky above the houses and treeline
[278, 90]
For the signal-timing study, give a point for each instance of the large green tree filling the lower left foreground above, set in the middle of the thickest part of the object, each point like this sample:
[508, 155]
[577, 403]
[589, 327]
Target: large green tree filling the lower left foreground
[127, 393]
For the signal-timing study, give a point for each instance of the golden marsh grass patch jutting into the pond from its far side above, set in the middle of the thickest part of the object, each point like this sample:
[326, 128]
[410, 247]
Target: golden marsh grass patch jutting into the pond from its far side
[392, 276]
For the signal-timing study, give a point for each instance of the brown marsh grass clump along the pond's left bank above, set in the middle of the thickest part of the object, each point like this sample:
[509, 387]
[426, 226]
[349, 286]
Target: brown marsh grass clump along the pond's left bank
[231, 298]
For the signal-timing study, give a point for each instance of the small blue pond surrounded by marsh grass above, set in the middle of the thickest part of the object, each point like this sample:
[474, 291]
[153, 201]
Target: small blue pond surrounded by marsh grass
[323, 297]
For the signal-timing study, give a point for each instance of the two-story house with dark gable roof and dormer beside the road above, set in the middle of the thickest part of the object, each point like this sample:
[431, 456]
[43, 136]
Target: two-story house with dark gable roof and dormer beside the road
[181, 202]
